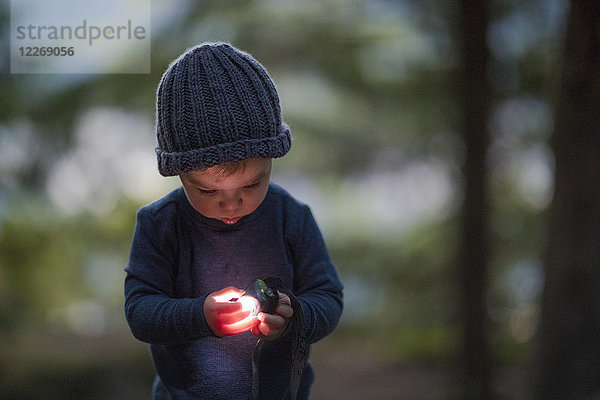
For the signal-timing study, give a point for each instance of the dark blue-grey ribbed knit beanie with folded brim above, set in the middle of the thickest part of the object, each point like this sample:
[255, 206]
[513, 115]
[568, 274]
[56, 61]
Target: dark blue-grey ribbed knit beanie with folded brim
[216, 104]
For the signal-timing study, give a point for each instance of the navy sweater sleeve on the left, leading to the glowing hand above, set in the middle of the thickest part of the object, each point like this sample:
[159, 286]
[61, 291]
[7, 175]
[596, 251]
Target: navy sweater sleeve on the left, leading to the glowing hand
[153, 313]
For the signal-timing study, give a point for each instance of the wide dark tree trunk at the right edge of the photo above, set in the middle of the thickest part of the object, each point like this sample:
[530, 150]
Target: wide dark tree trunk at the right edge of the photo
[568, 353]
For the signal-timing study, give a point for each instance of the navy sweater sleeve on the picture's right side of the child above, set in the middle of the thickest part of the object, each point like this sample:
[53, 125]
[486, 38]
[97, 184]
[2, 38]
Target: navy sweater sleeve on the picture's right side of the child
[316, 282]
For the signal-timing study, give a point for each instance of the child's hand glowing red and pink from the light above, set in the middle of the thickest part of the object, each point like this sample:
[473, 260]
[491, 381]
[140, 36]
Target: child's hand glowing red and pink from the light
[226, 318]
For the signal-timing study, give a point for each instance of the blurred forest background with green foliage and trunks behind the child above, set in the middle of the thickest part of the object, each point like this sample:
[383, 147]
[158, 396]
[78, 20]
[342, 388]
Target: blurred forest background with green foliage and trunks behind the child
[428, 138]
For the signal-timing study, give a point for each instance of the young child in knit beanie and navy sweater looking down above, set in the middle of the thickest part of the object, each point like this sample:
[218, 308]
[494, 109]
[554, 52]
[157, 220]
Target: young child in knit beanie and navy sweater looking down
[218, 126]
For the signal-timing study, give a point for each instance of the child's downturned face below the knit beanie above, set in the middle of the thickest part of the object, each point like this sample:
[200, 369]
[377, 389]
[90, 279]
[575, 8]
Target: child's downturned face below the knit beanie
[228, 198]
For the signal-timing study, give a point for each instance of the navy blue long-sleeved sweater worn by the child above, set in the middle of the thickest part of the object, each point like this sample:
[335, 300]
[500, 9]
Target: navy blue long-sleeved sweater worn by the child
[178, 257]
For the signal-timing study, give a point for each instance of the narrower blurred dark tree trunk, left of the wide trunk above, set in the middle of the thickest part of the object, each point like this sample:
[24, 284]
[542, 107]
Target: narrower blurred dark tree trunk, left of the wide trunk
[475, 249]
